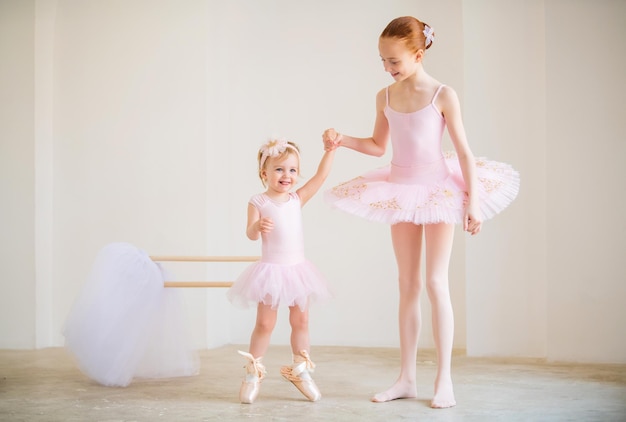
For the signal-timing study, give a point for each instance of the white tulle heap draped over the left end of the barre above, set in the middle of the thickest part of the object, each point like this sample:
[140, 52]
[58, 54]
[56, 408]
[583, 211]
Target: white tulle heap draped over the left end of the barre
[124, 324]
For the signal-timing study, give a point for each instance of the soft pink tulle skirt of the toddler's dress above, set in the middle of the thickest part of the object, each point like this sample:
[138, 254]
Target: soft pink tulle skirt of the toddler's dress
[277, 285]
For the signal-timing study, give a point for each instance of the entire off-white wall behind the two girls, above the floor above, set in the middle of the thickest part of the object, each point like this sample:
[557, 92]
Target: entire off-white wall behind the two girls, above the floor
[147, 115]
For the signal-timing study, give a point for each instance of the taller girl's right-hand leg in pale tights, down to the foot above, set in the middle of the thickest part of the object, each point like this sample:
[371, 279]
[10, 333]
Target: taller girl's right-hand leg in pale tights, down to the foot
[439, 239]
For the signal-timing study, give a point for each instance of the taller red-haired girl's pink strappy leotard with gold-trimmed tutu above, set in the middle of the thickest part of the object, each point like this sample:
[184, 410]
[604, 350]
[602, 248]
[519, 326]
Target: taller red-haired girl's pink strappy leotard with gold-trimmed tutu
[423, 185]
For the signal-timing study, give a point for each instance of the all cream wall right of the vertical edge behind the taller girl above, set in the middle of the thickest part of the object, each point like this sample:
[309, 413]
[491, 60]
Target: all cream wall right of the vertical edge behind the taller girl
[545, 92]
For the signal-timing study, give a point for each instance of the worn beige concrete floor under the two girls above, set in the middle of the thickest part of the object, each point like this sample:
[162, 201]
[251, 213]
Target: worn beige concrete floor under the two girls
[45, 385]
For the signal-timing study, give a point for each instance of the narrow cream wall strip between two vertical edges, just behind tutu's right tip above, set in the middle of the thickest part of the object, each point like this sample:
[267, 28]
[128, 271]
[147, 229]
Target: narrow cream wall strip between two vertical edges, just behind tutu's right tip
[505, 111]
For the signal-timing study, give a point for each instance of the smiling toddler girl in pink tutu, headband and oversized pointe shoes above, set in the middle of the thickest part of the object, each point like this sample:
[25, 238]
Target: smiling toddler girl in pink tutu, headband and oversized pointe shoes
[283, 276]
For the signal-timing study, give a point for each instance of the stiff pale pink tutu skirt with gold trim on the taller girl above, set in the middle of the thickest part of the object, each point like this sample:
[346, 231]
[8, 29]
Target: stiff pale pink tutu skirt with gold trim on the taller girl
[429, 201]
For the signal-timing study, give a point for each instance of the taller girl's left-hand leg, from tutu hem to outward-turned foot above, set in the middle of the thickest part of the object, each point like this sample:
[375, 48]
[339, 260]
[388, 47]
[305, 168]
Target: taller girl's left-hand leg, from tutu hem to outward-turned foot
[407, 244]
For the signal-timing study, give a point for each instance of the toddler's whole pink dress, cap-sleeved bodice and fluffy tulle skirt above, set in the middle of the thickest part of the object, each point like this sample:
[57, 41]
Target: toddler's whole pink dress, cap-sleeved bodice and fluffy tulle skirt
[283, 276]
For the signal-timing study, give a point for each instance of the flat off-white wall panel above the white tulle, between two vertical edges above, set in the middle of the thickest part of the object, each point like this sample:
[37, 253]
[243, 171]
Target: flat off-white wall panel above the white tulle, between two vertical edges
[130, 137]
